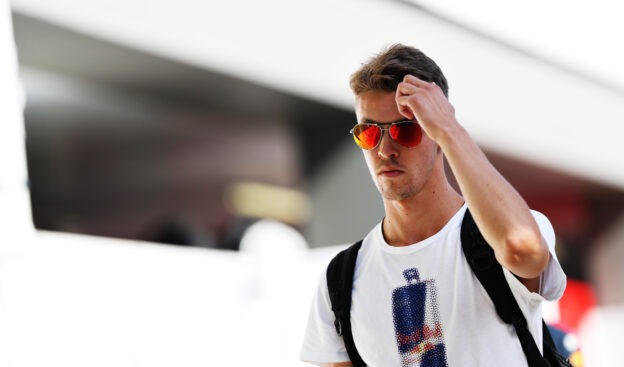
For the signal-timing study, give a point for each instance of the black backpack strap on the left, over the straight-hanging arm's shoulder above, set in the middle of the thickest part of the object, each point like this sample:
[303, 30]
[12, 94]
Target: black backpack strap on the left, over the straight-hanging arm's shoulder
[340, 284]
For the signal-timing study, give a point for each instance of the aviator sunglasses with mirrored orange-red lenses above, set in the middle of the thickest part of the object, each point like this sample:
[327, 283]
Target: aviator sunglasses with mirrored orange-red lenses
[368, 135]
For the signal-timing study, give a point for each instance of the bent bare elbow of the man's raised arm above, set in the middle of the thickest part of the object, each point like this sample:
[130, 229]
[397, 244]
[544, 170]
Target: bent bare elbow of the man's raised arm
[525, 253]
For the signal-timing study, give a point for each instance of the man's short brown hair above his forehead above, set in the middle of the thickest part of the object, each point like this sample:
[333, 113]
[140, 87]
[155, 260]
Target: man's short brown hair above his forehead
[387, 69]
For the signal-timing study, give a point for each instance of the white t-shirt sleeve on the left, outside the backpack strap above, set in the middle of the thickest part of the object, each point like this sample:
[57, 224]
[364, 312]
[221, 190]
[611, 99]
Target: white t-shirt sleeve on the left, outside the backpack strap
[321, 342]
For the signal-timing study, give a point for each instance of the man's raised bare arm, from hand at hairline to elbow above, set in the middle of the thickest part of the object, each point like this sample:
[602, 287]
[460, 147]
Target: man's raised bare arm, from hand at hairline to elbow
[500, 212]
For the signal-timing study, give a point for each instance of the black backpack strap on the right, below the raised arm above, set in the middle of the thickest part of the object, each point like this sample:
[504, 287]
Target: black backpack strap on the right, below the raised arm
[484, 265]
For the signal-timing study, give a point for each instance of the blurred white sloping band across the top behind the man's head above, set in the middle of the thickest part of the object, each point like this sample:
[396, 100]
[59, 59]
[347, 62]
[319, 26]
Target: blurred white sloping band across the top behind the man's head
[310, 49]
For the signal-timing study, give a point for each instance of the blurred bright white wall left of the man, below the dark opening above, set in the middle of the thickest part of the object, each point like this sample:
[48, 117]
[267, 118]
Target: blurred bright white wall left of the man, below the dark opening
[72, 300]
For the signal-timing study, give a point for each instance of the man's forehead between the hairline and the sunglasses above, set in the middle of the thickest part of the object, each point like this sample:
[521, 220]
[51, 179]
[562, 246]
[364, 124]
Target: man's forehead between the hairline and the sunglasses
[377, 106]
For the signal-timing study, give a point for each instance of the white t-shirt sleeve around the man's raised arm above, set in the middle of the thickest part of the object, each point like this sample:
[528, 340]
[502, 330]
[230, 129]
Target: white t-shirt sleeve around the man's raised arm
[553, 279]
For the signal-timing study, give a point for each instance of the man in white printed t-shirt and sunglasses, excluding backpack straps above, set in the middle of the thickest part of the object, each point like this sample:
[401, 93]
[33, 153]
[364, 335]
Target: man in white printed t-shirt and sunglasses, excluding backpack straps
[405, 127]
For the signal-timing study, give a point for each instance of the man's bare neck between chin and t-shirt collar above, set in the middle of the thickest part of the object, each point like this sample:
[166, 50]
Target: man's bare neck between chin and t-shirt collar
[421, 216]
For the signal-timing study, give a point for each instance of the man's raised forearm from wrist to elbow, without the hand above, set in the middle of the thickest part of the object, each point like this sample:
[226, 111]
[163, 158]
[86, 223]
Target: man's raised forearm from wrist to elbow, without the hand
[500, 212]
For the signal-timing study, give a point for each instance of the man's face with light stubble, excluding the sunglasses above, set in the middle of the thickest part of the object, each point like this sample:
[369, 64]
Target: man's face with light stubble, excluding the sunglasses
[399, 172]
